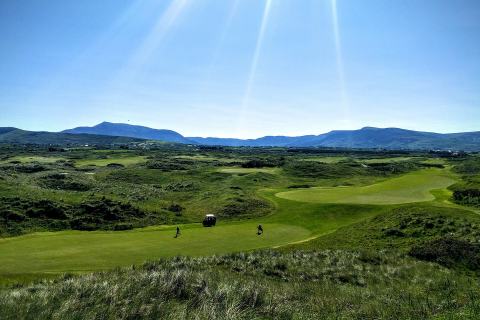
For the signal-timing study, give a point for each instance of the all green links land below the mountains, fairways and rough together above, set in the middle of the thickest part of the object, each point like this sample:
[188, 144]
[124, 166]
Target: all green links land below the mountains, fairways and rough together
[351, 259]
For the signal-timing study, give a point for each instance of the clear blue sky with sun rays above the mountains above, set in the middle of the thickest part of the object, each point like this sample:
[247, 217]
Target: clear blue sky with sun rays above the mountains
[241, 68]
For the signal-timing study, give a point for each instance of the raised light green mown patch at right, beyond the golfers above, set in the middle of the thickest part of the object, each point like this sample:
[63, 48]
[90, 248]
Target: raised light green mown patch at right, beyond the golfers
[412, 187]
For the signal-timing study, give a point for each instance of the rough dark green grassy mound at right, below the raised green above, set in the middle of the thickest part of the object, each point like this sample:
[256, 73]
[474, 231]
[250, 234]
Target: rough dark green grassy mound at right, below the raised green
[403, 227]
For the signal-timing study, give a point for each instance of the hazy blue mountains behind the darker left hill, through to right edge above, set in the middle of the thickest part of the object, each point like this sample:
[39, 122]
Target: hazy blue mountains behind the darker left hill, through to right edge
[368, 137]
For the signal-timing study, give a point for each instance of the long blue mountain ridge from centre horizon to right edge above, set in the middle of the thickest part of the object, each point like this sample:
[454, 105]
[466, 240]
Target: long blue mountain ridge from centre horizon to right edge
[368, 137]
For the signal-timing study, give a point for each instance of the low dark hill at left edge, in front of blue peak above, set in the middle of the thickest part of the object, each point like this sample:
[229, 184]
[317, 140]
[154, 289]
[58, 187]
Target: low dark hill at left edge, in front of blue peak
[14, 135]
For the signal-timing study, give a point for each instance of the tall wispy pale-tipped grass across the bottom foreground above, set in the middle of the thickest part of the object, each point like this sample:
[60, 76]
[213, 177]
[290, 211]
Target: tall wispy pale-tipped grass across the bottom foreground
[260, 285]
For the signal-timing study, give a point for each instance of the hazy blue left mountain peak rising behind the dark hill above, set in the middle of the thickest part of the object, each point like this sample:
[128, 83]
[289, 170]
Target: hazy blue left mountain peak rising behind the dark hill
[127, 130]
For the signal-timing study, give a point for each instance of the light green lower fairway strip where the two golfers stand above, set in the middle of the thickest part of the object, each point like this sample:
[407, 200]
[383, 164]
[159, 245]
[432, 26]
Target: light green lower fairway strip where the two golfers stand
[75, 251]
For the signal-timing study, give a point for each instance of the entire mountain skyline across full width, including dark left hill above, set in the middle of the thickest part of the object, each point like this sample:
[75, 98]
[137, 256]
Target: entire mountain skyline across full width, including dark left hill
[368, 137]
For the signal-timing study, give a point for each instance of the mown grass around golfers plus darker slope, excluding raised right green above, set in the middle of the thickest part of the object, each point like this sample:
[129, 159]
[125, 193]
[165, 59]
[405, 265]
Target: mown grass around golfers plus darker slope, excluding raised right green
[45, 254]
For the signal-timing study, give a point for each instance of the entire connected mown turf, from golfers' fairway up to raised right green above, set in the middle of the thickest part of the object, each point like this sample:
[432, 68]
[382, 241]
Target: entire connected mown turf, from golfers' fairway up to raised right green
[299, 215]
